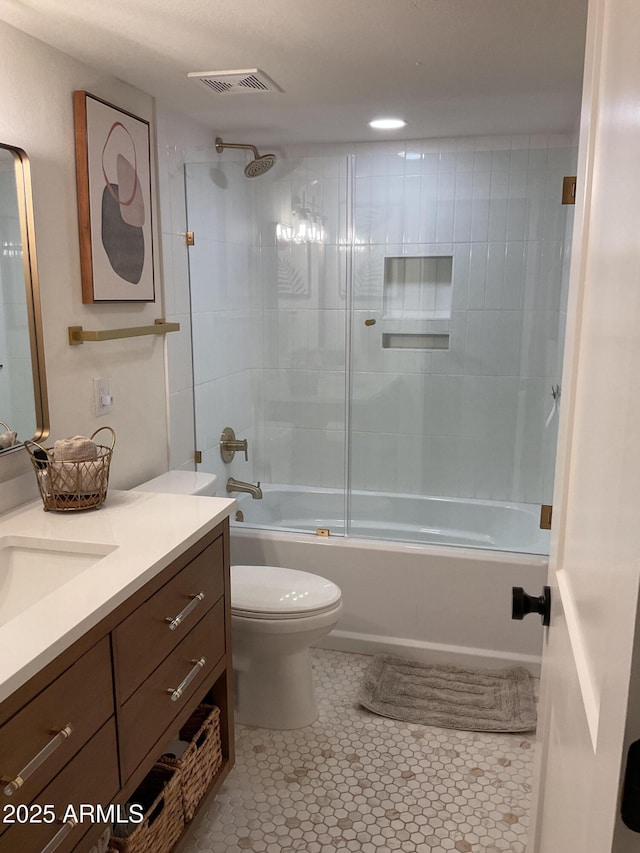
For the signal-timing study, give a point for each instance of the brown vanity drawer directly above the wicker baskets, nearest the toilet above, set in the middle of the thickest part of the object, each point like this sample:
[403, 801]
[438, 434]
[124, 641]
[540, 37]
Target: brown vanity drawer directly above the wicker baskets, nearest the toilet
[149, 712]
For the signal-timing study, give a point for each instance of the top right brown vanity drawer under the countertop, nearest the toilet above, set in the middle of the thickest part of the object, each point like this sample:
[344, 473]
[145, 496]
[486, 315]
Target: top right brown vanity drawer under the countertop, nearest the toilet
[145, 638]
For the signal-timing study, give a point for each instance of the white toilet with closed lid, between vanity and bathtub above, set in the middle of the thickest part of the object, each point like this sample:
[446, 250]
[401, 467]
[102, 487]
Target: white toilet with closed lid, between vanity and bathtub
[276, 615]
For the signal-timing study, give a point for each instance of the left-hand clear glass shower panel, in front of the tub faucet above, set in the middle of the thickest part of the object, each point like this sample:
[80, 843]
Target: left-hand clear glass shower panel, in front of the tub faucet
[267, 276]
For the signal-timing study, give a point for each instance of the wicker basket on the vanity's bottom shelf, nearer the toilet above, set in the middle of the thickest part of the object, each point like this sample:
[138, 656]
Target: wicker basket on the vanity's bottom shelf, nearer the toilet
[201, 760]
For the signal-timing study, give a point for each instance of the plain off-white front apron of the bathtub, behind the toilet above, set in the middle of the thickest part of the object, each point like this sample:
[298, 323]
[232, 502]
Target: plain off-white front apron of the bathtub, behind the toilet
[430, 602]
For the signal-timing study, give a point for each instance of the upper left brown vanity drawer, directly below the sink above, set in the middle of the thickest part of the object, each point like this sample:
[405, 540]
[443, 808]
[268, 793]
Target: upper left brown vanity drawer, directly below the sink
[81, 698]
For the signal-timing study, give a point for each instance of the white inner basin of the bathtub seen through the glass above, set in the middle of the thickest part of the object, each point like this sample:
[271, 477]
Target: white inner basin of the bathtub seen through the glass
[398, 517]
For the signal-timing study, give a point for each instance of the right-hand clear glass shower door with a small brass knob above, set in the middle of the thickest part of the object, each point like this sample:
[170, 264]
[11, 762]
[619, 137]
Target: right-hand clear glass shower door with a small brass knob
[459, 286]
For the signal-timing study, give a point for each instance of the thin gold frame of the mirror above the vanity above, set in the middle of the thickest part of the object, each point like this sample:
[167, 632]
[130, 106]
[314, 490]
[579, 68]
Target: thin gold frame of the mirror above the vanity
[32, 287]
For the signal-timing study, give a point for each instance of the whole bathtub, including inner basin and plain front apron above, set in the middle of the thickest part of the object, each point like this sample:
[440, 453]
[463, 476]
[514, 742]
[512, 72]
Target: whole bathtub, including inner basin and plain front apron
[437, 591]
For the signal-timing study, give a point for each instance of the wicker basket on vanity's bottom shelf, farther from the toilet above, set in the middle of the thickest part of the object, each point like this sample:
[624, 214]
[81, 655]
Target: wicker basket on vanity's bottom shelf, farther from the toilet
[163, 820]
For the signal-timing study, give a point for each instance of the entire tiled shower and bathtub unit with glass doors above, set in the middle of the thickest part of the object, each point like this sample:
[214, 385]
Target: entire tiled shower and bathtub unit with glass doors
[368, 343]
